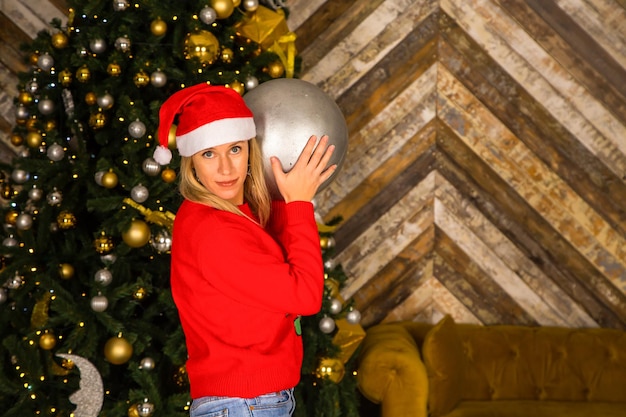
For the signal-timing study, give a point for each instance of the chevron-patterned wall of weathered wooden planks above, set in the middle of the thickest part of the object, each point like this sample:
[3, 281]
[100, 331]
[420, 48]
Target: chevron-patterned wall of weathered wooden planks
[486, 166]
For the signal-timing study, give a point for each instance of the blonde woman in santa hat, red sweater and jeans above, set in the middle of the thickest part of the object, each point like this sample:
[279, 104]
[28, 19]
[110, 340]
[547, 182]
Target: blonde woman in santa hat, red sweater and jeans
[244, 268]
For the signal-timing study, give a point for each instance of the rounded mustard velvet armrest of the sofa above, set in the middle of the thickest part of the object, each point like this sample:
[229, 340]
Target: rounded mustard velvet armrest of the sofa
[391, 372]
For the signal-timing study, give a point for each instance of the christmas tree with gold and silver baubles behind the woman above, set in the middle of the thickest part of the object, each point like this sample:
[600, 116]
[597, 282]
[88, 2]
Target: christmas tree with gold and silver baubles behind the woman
[88, 323]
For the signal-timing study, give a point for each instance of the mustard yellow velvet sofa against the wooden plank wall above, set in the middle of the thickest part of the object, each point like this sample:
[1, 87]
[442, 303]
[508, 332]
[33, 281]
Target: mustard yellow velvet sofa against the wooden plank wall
[462, 370]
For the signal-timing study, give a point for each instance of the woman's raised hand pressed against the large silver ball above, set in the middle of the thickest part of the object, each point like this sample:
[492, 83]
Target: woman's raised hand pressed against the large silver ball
[308, 173]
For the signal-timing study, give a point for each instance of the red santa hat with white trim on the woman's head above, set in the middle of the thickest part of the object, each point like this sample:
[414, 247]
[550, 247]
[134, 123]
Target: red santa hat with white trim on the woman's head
[207, 116]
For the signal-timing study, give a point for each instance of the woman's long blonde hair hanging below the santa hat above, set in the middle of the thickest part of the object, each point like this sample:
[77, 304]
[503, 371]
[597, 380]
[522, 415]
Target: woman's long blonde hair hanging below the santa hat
[255, 189]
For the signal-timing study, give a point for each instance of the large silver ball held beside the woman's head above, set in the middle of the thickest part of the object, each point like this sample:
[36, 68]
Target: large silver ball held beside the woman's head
[287, 112]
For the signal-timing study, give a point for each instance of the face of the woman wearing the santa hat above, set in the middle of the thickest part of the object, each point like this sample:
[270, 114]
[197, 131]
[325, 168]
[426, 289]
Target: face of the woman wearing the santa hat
[223, 169]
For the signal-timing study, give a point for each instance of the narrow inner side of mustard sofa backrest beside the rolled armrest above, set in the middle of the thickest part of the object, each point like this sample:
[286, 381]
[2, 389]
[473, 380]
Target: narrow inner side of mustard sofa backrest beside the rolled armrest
[444, 361]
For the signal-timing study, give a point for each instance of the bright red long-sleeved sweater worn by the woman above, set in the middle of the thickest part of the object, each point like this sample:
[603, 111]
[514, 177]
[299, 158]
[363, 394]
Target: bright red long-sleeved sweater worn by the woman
[238, 289]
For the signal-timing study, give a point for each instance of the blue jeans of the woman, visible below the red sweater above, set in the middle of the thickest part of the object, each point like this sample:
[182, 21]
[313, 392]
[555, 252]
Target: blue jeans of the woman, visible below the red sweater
[275, 404]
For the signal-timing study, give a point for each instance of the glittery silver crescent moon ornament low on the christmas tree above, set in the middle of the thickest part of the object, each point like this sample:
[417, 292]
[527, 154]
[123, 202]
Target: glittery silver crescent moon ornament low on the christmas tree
[90, 396]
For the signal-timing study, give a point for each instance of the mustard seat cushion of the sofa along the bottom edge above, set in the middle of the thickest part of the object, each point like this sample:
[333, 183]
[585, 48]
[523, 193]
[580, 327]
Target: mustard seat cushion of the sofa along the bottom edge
[528, 408]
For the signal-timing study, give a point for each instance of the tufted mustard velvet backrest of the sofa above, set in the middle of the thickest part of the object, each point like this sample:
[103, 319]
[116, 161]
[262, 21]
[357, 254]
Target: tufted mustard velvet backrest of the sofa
[470, 362]
